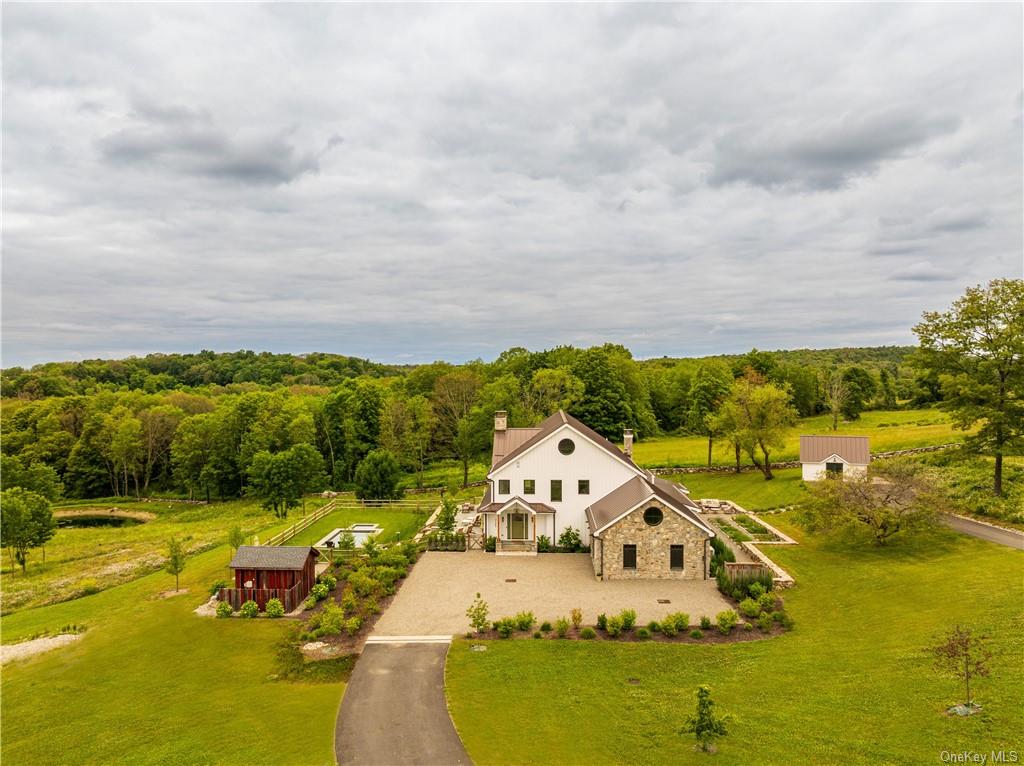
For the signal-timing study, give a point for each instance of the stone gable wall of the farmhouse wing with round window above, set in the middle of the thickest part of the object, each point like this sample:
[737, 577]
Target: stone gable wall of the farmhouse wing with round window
[653, 547]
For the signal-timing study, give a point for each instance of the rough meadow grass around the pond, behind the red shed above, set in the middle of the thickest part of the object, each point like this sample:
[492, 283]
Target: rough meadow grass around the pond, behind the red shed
[100, 558]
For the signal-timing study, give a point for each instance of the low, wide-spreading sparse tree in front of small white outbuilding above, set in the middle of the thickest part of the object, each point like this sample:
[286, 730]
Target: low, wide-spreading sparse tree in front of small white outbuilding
[894, 496]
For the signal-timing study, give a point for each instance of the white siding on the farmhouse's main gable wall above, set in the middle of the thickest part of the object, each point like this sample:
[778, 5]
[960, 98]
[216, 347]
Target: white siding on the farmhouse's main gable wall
[544, 463]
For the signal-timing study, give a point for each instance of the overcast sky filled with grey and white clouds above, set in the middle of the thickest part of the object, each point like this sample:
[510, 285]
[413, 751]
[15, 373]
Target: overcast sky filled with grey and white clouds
[419, 183]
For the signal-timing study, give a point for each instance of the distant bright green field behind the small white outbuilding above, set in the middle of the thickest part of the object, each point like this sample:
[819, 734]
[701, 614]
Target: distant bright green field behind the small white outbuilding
[899, 430]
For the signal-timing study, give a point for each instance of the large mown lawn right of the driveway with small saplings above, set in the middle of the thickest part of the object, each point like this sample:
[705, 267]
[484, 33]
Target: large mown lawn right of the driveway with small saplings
[854, 684]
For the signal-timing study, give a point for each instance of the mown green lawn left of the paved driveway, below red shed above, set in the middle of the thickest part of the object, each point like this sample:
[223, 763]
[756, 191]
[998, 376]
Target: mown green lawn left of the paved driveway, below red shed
[152, 684]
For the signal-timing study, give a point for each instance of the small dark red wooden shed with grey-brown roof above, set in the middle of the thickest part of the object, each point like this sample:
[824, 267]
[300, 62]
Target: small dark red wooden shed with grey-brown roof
[263, 573]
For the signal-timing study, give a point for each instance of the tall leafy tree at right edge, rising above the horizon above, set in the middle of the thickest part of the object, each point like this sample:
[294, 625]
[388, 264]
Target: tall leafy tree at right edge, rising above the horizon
[977, 351]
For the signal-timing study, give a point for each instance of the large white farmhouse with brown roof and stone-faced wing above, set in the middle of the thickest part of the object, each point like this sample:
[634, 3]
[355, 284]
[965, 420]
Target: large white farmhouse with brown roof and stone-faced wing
[563, 475]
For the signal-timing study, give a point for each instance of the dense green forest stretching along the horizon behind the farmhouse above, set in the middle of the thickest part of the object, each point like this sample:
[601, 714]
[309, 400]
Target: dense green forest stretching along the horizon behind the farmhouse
[212, 425]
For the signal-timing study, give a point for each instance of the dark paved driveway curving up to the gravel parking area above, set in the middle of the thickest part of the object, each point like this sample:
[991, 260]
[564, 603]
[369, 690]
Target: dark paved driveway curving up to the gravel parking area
[395, 712]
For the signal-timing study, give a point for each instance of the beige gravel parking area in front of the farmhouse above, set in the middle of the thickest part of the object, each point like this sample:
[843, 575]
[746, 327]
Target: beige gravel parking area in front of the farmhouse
[435, 600]
